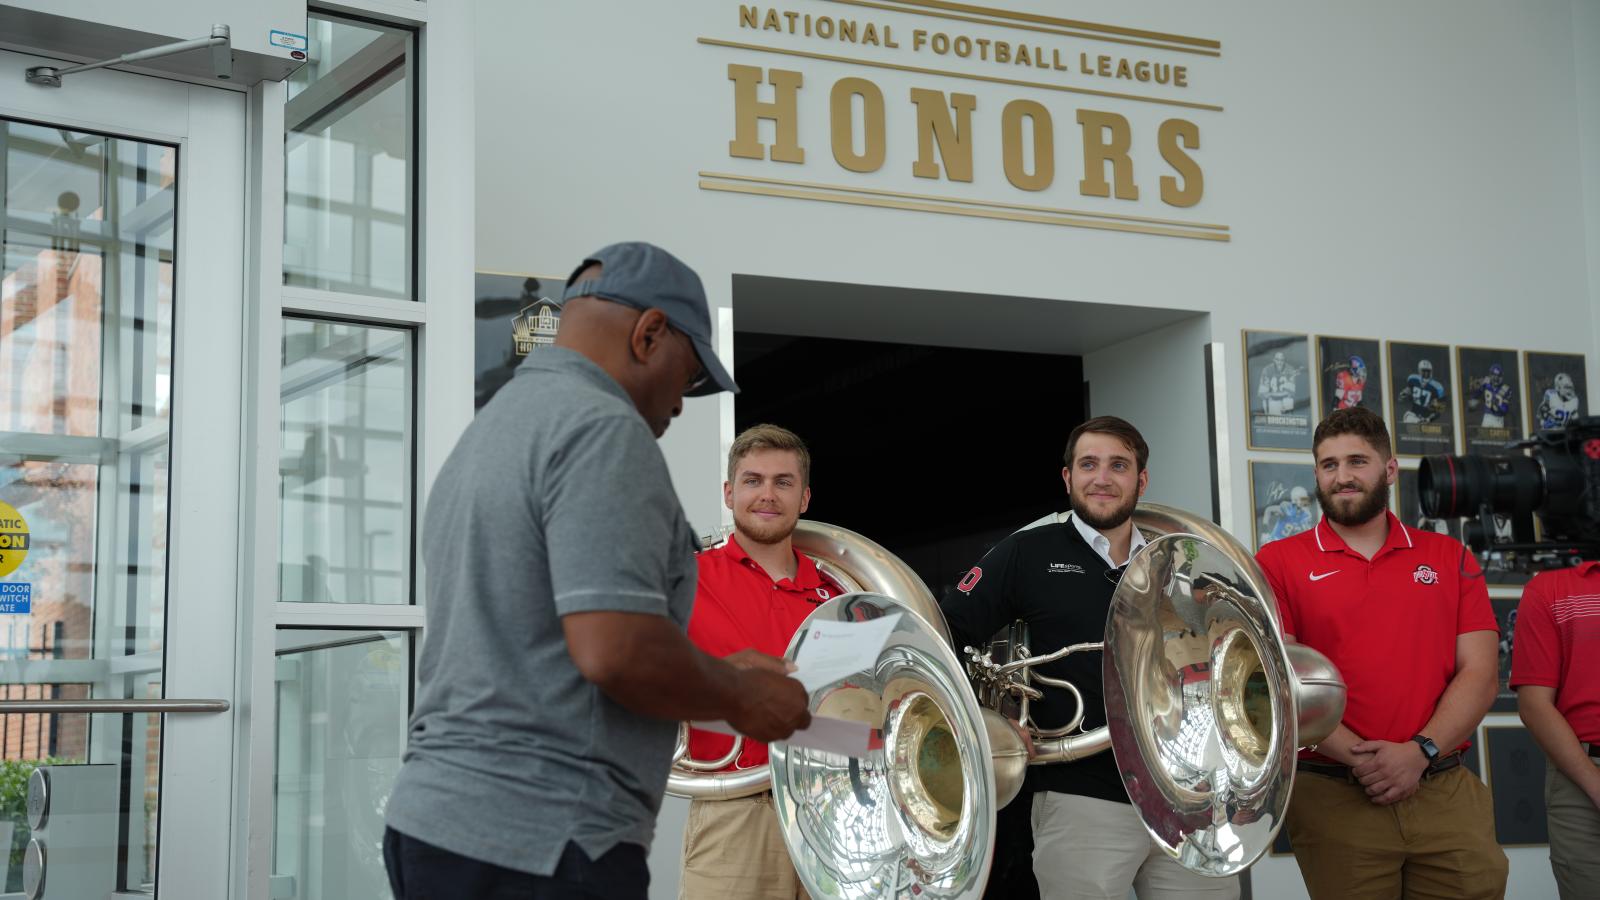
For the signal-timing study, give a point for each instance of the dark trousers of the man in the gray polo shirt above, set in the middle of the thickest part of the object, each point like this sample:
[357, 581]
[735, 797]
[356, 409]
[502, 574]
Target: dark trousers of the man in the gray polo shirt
[423, 872]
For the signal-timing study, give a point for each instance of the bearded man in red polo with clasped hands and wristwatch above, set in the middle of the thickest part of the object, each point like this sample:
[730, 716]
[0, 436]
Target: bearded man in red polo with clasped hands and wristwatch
[1383, 806]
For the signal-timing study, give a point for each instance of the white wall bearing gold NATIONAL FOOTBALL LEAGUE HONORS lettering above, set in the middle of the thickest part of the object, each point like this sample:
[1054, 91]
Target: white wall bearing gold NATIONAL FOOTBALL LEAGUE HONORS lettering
[1420, 171]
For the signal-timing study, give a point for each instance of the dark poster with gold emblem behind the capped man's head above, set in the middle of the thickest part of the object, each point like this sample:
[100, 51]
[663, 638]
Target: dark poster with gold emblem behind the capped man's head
[514, 316]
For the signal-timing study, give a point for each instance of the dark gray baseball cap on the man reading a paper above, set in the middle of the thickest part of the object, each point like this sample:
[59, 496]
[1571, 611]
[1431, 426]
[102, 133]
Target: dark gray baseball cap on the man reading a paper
[646, 276]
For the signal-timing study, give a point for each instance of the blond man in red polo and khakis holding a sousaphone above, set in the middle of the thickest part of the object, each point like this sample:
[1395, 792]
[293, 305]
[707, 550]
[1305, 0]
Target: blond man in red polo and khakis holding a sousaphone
[754, 593]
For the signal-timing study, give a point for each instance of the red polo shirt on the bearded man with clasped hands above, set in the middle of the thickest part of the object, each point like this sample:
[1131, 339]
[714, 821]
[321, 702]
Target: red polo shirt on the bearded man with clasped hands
[1390, 624]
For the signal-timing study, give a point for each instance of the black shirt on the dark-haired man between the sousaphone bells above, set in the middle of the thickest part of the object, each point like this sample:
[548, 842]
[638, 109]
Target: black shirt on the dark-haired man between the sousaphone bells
[1055, 582]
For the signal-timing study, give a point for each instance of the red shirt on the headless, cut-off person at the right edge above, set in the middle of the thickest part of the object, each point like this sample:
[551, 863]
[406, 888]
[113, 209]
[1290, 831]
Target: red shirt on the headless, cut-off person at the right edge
[1558, 643]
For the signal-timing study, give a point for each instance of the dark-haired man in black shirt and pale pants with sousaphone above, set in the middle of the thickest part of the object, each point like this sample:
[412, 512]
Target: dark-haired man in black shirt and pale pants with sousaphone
[1089, 842]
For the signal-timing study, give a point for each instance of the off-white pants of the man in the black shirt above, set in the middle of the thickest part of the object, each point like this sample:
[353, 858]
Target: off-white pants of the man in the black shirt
[1092, 850]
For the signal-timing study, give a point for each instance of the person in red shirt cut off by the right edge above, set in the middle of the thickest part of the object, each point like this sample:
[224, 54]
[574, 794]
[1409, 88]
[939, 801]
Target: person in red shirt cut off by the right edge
[1556, 670]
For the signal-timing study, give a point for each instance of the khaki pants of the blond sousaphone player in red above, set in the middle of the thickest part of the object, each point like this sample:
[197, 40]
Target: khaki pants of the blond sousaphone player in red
[734, 851]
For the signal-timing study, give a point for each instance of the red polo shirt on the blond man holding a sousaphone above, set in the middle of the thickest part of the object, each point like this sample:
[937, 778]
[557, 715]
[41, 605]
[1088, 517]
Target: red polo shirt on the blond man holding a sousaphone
[738, 606]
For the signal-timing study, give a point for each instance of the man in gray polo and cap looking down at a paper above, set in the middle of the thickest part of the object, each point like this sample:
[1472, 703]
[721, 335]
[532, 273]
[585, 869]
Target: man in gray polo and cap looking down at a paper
[561, 574]
